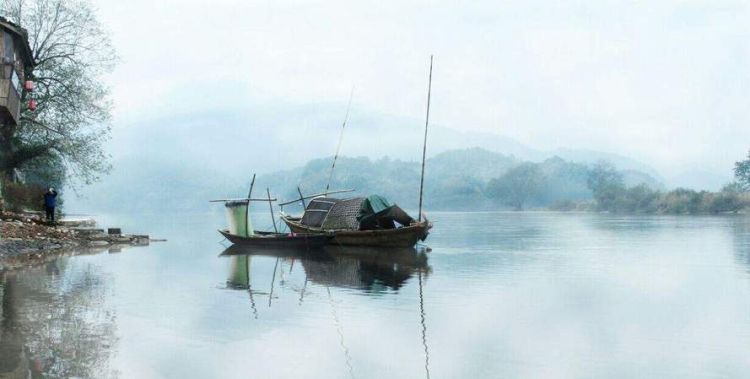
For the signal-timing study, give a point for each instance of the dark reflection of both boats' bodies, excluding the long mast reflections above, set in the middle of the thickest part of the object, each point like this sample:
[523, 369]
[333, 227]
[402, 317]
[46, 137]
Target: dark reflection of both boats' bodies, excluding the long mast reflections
[364, 268]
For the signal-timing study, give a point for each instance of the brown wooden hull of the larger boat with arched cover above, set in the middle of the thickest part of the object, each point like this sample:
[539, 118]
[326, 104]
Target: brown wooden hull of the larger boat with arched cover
[406, 236]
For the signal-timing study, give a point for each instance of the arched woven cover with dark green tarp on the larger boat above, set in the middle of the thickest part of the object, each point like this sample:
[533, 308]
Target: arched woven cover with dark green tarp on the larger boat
[372, 212]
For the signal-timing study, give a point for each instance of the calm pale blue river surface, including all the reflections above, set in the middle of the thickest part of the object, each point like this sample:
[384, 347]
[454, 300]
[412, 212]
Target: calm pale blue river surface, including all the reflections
[501, 295]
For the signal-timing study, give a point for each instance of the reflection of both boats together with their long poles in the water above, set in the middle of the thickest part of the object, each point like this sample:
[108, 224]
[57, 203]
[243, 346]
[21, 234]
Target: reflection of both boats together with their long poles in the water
[370, 270]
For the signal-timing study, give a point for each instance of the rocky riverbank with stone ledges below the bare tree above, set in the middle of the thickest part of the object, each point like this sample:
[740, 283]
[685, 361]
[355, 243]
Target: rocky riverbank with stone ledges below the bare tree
[25, 238]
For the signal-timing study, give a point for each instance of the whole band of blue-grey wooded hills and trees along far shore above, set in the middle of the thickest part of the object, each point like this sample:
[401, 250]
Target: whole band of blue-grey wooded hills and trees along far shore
[465, 180]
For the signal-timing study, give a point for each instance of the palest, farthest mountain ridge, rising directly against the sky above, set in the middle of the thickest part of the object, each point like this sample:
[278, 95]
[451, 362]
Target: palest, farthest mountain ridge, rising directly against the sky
[268, 139]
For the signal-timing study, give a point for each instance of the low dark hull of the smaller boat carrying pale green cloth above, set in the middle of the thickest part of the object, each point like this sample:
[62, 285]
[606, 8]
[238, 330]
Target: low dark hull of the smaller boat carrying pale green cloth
[278, 240]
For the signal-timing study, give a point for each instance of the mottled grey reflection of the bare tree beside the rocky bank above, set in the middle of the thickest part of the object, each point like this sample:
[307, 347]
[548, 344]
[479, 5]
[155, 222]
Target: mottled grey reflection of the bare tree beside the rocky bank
[56, 322]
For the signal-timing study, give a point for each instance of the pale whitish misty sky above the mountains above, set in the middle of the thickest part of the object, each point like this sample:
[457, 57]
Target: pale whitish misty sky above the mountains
[666, 83]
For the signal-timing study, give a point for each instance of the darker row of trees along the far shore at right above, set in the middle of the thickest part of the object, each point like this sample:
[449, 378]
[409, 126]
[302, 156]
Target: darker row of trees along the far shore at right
[557, 185]
